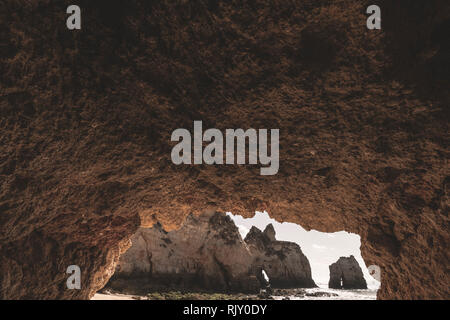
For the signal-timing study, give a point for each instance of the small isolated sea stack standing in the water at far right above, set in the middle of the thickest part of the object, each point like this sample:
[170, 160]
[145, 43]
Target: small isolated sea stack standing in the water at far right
[346, 274]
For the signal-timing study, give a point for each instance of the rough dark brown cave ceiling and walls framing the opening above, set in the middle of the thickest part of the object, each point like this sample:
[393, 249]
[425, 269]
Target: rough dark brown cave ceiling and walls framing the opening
[86, 119]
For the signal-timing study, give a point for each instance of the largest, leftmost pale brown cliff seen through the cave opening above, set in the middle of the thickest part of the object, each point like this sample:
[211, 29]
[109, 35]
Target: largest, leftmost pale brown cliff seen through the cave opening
[206, 253]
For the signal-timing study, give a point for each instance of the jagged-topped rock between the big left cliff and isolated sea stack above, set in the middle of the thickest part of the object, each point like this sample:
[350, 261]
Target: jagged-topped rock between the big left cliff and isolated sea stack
[284, 262]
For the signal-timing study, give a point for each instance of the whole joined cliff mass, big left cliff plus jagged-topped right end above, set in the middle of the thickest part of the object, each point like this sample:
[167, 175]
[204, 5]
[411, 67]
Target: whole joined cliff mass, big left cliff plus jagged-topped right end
[208, 254]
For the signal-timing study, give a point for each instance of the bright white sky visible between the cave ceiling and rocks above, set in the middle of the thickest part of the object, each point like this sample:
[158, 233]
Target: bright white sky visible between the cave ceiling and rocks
[321, 249]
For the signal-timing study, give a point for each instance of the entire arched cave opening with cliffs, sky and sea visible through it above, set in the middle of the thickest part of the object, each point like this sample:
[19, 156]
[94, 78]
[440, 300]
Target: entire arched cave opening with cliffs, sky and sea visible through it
[219, 254]
